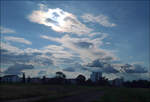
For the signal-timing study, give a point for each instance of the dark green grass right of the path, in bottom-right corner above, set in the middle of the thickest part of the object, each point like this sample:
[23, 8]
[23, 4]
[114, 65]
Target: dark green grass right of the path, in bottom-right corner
[125, 95]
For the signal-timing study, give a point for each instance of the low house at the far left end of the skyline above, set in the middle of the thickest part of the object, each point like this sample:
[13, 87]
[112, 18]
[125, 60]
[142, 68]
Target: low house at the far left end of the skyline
[10, 79]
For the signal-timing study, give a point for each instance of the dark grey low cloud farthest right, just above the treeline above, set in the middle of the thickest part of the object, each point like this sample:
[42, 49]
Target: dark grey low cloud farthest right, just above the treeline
[135, 68]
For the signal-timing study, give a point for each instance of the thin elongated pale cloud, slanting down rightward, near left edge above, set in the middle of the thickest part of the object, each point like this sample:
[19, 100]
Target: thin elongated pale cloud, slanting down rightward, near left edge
[17, 39]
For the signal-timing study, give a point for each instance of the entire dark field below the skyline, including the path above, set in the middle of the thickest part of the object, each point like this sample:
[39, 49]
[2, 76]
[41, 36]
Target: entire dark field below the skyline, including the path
[70, 93]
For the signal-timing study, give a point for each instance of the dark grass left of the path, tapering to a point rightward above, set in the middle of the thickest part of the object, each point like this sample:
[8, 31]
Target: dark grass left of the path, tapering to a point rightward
[19, 91]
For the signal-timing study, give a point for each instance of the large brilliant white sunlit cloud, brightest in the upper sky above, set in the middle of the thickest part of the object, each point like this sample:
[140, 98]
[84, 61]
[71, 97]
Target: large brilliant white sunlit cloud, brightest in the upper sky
[59, 21]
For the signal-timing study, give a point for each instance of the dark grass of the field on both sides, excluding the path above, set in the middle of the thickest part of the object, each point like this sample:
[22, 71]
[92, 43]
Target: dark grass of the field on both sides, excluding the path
[52, 92]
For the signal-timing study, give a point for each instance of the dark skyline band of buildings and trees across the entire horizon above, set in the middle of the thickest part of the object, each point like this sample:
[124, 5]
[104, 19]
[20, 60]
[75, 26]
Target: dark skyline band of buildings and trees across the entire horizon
[96, 78]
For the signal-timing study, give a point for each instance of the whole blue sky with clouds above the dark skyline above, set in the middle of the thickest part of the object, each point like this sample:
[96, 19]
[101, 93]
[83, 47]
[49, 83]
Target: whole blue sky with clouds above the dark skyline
[75, 37]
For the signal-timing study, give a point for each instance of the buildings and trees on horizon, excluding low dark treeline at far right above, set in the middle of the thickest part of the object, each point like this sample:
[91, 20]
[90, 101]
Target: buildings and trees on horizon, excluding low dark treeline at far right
[60, 78]
